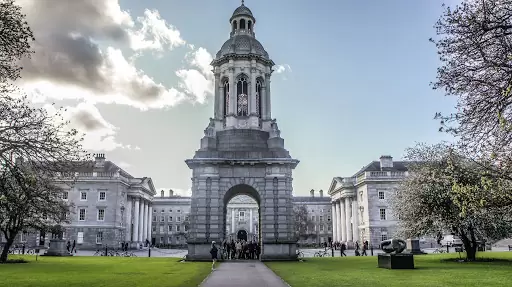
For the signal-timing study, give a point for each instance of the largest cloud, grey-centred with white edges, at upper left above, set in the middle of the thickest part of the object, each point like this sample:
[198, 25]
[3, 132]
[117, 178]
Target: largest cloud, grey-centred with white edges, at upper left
[78, 53]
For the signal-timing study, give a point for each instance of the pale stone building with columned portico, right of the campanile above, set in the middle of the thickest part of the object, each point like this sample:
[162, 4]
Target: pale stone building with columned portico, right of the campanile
[360, 203]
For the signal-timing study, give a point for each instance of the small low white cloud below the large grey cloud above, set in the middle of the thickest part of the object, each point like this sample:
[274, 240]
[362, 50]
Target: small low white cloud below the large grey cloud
[99, 133]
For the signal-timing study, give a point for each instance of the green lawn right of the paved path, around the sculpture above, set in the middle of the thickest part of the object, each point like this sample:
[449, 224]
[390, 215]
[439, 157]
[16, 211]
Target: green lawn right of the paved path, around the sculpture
[431, 271]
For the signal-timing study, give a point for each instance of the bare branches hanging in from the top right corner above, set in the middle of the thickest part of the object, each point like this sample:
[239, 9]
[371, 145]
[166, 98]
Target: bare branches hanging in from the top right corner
[474, 44]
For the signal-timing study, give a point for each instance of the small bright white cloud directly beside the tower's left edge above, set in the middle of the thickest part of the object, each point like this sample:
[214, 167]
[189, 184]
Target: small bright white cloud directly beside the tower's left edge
[197, 82]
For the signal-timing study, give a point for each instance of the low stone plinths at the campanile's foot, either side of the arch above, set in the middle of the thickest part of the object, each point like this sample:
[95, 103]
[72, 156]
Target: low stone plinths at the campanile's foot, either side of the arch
[285, 251]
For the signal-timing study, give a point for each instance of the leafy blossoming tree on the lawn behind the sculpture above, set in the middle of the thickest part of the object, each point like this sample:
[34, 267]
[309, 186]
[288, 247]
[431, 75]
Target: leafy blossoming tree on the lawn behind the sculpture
[426, 201]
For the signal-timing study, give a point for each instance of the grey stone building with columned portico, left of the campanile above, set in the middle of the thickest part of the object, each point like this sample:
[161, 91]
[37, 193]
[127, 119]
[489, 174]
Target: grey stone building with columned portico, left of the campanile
[109, 206]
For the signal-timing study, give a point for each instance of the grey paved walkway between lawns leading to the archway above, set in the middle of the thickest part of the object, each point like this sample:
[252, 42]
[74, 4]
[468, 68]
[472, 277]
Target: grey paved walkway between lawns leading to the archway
[243, 273]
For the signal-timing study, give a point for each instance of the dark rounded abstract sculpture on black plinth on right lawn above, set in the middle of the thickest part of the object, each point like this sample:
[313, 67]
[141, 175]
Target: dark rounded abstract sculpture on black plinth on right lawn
[394, 258]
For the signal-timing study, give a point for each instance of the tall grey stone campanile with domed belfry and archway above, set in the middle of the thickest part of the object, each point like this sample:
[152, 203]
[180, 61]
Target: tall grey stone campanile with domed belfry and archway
[242, 151]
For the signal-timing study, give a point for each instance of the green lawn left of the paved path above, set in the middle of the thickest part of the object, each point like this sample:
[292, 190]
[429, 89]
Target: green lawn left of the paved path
[103, 271]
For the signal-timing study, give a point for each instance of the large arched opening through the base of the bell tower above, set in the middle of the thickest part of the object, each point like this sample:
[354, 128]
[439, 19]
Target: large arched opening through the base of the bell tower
[242, 215]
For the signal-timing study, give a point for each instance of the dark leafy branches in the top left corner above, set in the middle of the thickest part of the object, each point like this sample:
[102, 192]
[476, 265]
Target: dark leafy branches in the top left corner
[15, 38]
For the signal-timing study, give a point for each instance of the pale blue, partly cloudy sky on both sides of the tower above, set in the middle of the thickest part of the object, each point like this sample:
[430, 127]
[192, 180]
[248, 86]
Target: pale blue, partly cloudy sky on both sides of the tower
[351, 81]
